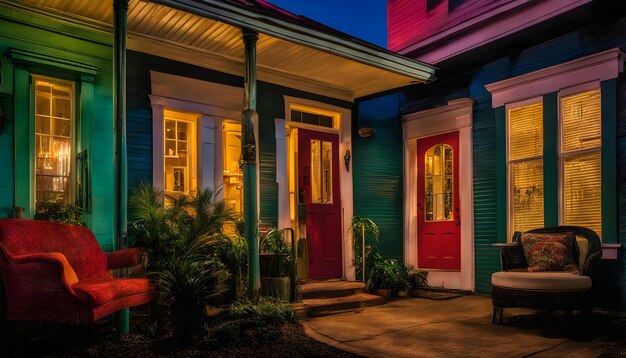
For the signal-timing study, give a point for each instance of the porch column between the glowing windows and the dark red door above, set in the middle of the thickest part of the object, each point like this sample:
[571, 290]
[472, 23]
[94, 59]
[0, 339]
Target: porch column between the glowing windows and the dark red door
[248, 154]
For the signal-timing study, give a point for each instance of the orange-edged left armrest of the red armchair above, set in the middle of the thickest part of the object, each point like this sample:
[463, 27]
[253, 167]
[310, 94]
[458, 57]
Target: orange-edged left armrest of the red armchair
[34, 264]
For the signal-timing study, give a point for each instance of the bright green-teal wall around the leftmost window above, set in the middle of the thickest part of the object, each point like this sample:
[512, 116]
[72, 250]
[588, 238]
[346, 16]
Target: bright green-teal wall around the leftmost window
[37, 34]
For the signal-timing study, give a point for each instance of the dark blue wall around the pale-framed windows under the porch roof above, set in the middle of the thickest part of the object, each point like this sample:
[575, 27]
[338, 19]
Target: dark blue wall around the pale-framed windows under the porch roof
[270, 105]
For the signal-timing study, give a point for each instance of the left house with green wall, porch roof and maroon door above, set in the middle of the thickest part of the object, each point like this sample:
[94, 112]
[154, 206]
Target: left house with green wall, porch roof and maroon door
[189, 65]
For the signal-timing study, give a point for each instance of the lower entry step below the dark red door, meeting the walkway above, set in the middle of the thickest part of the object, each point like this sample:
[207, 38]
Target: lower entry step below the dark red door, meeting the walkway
[326, 306]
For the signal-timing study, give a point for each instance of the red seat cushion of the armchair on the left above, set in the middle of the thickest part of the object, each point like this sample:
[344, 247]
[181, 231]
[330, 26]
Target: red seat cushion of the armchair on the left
[98, 292]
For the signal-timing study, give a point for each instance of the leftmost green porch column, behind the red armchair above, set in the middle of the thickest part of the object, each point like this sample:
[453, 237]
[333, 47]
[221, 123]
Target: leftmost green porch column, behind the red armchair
[120, 8]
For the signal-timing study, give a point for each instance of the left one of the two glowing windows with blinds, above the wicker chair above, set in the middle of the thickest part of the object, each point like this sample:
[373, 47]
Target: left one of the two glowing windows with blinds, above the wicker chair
[525, 167]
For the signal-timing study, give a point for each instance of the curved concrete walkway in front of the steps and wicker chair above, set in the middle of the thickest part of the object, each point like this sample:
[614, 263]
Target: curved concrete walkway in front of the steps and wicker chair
[460, 327]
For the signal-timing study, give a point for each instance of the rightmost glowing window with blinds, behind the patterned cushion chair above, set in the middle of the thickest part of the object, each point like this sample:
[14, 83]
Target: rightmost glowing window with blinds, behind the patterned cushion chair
[581, 177]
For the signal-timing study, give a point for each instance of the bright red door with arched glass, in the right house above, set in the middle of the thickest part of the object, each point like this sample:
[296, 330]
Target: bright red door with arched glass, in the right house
[438, 216]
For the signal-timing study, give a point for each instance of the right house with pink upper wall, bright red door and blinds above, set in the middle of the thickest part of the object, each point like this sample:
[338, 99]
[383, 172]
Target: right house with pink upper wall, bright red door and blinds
[524, 128]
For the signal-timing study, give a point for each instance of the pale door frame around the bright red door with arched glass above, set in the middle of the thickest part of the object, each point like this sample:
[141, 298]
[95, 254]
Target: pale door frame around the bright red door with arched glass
[455, 116]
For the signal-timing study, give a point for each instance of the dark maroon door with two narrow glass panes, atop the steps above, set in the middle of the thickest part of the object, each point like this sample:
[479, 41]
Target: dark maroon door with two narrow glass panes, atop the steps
[318, 184]
